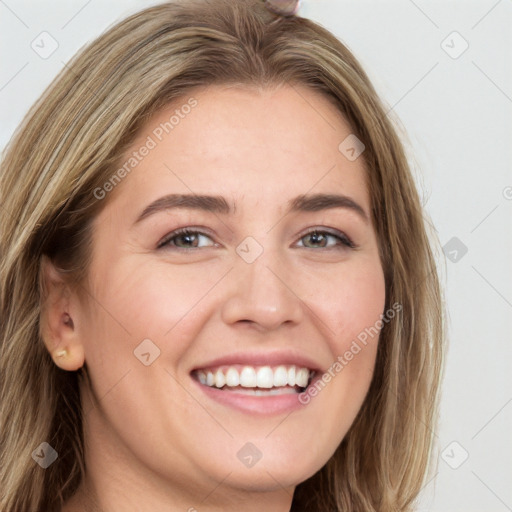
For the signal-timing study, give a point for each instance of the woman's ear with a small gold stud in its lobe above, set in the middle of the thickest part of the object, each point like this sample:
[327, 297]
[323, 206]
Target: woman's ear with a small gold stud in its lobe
[59, 318]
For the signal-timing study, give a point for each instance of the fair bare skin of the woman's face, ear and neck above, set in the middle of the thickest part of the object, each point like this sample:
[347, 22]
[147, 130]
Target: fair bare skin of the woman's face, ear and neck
[154, 441]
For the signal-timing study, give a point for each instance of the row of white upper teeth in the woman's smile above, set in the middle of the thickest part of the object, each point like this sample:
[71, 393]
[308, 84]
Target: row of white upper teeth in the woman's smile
[251, 376]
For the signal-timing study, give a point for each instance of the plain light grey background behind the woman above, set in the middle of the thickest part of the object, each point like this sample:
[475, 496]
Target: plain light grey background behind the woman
[456, 115]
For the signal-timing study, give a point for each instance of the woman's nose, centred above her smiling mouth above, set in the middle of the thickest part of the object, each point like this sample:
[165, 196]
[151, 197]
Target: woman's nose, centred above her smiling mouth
[262, 293]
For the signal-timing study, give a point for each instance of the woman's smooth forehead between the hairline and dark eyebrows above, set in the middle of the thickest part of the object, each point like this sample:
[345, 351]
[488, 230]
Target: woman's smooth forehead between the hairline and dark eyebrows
[255, 145]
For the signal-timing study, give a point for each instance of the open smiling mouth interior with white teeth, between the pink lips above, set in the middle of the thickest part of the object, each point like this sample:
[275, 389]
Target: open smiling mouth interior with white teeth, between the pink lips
[256, 380]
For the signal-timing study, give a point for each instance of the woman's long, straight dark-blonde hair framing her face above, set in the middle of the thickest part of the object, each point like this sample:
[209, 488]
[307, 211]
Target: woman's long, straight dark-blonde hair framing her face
[69, 144]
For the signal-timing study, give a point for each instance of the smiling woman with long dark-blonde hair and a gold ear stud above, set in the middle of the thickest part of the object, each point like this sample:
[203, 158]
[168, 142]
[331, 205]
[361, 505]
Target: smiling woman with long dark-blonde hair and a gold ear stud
[217, 290]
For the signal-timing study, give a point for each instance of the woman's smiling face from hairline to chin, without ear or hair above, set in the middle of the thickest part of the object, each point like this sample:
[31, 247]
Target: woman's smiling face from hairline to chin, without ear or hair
[264, 291]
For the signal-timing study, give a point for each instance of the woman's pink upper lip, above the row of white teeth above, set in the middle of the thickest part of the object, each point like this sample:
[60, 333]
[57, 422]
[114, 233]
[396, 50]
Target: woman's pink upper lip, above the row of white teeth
[275, 358]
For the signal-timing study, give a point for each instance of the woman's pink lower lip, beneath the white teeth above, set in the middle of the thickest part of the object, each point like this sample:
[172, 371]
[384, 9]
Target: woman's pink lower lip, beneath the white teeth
[261, 405]
